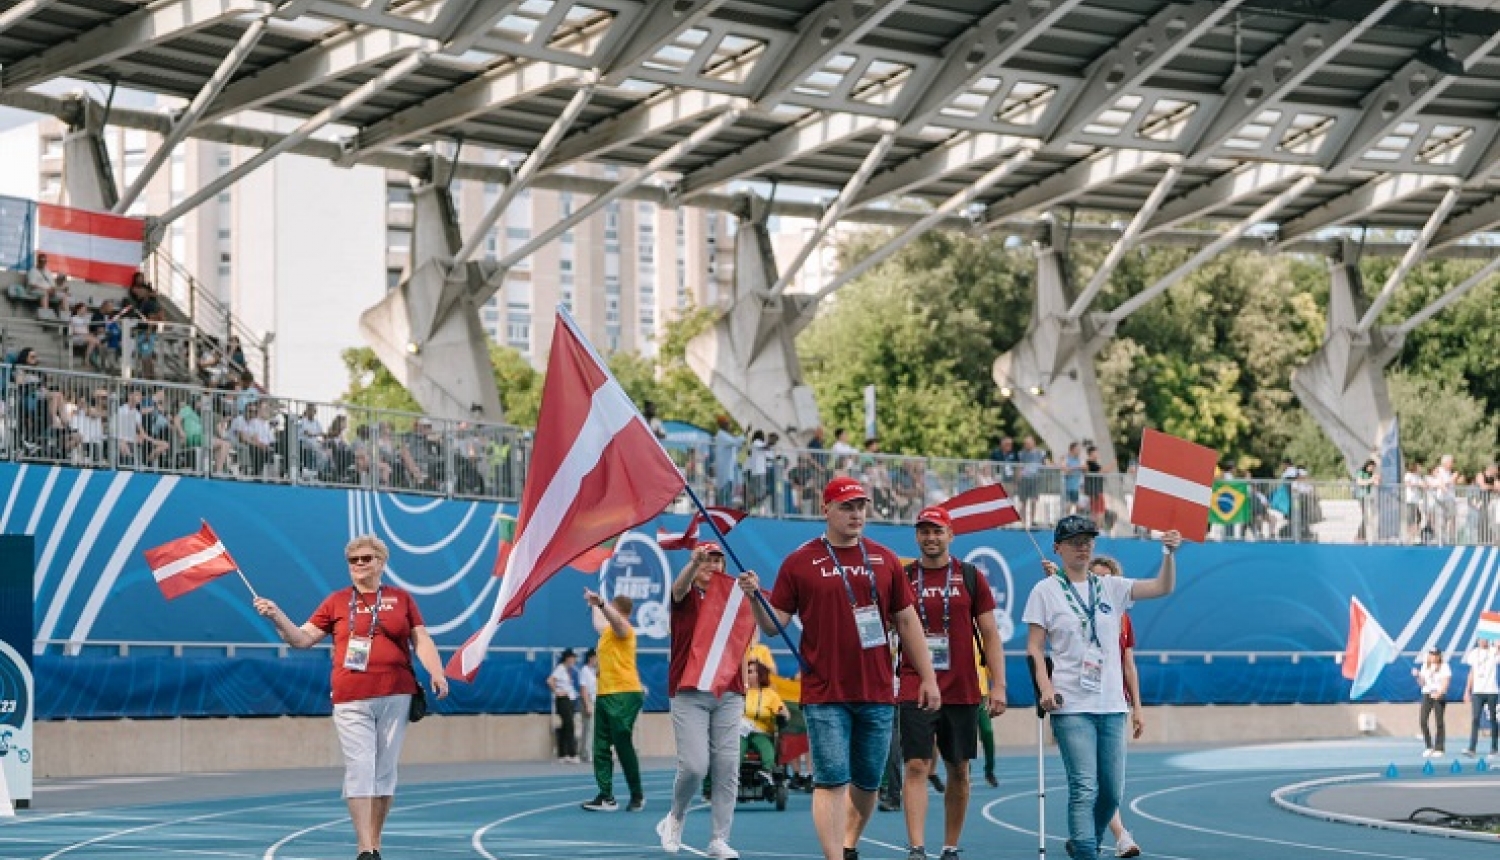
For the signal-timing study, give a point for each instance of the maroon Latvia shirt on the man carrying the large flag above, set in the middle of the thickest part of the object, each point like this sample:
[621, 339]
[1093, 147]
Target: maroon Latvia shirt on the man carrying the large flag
[809, 586]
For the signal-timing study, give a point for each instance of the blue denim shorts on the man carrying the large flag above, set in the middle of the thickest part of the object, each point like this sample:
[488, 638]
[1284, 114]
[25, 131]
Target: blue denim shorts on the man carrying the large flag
[851, 744]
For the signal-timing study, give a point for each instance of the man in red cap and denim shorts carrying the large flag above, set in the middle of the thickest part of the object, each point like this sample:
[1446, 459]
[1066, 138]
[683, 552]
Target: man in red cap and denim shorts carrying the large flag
[850, 594]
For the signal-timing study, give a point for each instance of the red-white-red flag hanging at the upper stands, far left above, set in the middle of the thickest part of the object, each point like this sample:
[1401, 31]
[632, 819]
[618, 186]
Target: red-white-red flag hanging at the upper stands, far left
[88, 245]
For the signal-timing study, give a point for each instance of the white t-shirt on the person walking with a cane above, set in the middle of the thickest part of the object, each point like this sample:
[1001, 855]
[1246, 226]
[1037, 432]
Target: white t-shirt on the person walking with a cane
[1051, 609]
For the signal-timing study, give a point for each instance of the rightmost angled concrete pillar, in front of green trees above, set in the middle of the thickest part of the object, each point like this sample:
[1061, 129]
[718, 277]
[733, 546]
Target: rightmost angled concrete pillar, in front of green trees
[1345, 385]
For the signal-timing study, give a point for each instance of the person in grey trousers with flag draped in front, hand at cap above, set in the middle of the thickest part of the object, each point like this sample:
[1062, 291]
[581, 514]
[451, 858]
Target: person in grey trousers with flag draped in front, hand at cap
[706, 723]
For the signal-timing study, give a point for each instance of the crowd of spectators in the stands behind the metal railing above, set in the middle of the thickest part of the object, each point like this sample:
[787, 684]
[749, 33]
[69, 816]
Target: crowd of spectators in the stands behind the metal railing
[229, 425]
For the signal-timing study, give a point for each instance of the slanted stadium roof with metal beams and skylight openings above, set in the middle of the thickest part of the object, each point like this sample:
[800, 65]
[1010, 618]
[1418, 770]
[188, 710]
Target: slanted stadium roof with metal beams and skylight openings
[1315, 113]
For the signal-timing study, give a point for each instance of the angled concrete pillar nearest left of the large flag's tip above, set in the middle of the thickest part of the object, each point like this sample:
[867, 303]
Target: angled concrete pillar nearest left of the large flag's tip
[428, 331]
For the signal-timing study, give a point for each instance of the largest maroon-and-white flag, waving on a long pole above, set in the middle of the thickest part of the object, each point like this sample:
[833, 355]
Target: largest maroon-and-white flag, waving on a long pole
[596, 472]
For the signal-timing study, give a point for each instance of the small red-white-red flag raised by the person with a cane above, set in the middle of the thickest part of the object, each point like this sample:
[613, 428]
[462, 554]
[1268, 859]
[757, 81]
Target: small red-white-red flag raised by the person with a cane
[1174, 486]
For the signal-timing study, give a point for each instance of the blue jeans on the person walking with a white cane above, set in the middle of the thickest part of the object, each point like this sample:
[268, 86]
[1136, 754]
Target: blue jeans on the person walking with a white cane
[1093, 751]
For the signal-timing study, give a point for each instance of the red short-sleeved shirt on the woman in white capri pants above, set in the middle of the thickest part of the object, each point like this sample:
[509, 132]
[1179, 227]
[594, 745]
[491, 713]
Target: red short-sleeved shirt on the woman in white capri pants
[389, 670]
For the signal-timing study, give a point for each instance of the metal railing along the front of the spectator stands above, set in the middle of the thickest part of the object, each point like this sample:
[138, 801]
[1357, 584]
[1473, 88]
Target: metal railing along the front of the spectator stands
[110, 422]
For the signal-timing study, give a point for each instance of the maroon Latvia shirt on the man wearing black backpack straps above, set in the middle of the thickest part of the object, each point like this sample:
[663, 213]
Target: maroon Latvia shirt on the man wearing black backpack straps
[961, 684]
